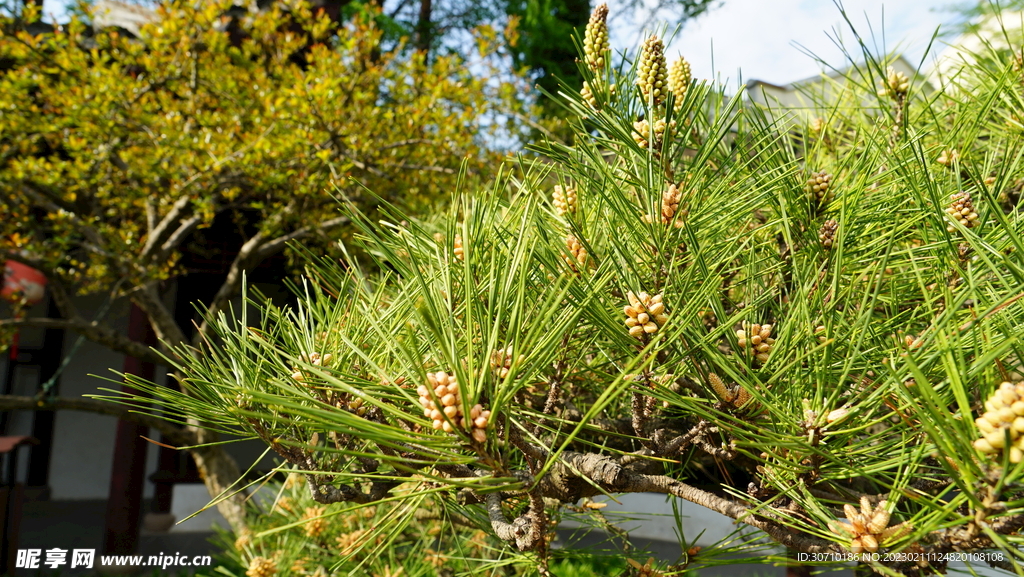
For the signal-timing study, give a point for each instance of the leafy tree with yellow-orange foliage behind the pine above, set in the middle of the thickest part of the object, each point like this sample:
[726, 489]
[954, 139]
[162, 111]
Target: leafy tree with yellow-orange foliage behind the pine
[120, 156]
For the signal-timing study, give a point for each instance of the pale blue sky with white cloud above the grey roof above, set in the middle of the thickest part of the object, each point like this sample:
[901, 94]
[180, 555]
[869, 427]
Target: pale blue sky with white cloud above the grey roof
[760, 37]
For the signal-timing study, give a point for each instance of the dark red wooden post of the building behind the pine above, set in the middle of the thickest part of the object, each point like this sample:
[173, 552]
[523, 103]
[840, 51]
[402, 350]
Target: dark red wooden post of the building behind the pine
[124, 506]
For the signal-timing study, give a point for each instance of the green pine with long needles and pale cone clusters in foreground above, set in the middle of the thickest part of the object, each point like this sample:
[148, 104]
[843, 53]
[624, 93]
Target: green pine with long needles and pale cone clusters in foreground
[819, 337]
